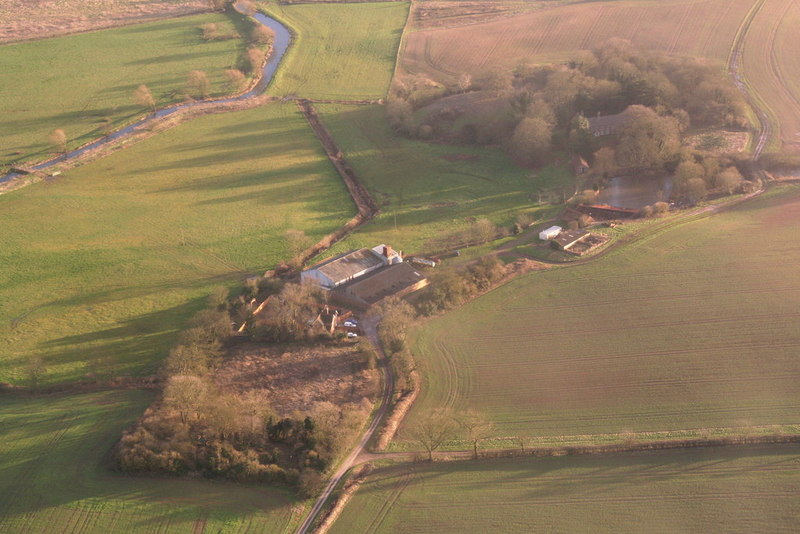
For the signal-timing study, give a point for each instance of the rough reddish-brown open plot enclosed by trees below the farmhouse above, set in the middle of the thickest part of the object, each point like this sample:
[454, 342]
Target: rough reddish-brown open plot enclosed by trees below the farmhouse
[295, 377]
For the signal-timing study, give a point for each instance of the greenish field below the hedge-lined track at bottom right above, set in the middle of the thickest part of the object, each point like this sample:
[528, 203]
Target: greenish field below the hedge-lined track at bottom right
[683, 491]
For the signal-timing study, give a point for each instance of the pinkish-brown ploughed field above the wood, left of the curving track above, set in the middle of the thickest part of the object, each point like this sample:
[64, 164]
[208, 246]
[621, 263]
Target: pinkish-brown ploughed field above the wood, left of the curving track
[704, 28]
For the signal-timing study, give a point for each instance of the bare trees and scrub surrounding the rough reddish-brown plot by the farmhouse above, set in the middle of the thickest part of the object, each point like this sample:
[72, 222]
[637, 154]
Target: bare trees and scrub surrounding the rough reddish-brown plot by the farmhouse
[196, 428]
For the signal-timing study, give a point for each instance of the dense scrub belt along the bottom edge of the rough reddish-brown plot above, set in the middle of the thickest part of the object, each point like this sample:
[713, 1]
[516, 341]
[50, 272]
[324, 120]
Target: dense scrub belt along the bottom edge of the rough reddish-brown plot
[201, 430]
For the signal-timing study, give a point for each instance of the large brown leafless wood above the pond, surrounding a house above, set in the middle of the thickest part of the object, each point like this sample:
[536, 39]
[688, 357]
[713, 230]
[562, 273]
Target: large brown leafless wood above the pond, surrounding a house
[549, 105]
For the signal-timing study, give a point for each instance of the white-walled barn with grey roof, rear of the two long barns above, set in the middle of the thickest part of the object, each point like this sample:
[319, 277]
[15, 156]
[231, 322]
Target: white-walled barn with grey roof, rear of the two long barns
[336, 271]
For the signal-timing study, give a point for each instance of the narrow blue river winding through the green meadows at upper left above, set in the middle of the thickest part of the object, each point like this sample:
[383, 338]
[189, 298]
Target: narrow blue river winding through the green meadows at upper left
[279, 47]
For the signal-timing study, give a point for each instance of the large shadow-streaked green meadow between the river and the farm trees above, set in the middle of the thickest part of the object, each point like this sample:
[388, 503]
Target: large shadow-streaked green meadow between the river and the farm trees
[109, 260]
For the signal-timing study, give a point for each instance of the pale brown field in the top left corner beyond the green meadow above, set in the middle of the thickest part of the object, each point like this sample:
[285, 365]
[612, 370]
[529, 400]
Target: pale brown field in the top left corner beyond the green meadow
[24, 20]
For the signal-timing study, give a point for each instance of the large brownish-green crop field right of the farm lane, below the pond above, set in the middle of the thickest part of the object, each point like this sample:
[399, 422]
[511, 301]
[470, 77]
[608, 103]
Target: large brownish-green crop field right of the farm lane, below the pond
[691, 328]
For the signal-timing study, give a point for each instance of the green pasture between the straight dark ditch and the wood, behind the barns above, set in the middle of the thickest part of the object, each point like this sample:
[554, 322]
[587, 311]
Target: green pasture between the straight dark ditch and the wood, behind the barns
[425, 189]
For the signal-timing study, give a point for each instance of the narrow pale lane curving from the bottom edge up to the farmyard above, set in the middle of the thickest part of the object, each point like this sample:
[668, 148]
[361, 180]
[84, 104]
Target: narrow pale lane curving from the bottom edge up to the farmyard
[370, 328]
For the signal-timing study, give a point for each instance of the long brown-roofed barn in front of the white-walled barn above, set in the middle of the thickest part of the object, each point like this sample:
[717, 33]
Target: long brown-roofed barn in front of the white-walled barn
[398, 279]
